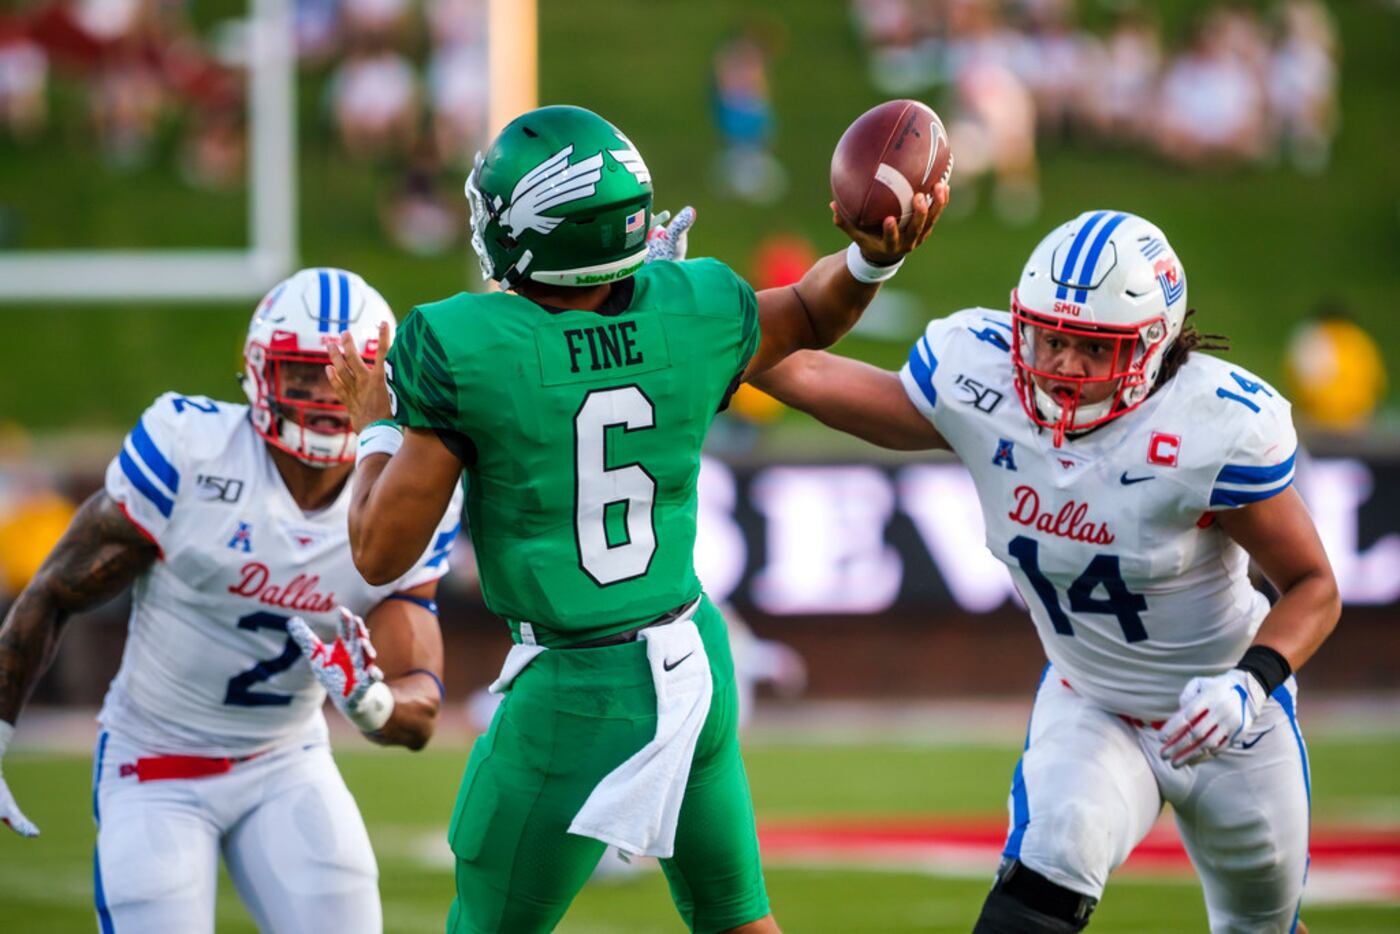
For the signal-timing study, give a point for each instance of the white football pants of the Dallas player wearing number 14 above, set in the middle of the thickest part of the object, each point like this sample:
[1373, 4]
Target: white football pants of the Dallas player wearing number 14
[1090, 786]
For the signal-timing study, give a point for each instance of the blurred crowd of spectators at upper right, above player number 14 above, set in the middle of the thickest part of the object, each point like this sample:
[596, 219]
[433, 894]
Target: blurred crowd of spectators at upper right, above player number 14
[1240, 89]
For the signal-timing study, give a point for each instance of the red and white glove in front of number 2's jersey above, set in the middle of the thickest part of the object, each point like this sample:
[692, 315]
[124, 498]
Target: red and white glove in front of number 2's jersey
[346, 670]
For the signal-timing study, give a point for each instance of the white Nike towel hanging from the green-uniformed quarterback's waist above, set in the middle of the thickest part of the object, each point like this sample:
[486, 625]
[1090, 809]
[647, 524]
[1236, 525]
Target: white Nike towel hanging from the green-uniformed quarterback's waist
[638, 804]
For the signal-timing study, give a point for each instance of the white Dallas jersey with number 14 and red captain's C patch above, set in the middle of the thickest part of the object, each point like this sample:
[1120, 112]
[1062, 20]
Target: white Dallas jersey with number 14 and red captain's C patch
[1109, 538]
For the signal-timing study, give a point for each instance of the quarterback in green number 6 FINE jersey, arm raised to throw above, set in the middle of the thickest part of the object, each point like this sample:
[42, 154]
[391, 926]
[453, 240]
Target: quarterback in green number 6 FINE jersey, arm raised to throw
[576, 403]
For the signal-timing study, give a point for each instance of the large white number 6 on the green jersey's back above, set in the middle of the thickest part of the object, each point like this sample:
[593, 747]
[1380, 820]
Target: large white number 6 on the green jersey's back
[625, 494]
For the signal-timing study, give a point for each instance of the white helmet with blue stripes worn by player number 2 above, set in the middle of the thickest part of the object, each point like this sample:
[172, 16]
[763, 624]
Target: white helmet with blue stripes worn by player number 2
[292, 404]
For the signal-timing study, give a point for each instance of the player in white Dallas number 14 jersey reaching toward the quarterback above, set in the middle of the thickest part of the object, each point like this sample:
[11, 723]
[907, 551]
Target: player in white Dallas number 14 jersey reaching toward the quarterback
[1126, 495]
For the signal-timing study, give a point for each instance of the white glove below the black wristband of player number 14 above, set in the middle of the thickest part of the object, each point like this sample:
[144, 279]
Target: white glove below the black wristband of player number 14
[1216, 713]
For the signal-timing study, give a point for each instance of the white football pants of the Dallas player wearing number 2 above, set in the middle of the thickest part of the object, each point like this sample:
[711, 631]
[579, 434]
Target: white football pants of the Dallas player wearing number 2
[285, 823]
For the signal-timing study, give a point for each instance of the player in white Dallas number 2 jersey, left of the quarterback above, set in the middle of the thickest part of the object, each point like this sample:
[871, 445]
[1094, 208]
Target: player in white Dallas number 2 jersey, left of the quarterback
[230, 524]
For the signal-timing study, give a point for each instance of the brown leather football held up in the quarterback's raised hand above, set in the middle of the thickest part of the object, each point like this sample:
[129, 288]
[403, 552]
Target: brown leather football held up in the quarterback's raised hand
[888, 155]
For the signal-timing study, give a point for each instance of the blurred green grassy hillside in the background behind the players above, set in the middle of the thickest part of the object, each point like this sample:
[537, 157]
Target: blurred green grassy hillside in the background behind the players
[1261, 247]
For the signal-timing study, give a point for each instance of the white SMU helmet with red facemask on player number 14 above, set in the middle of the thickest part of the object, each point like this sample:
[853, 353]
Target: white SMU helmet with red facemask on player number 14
[1104, 275]
